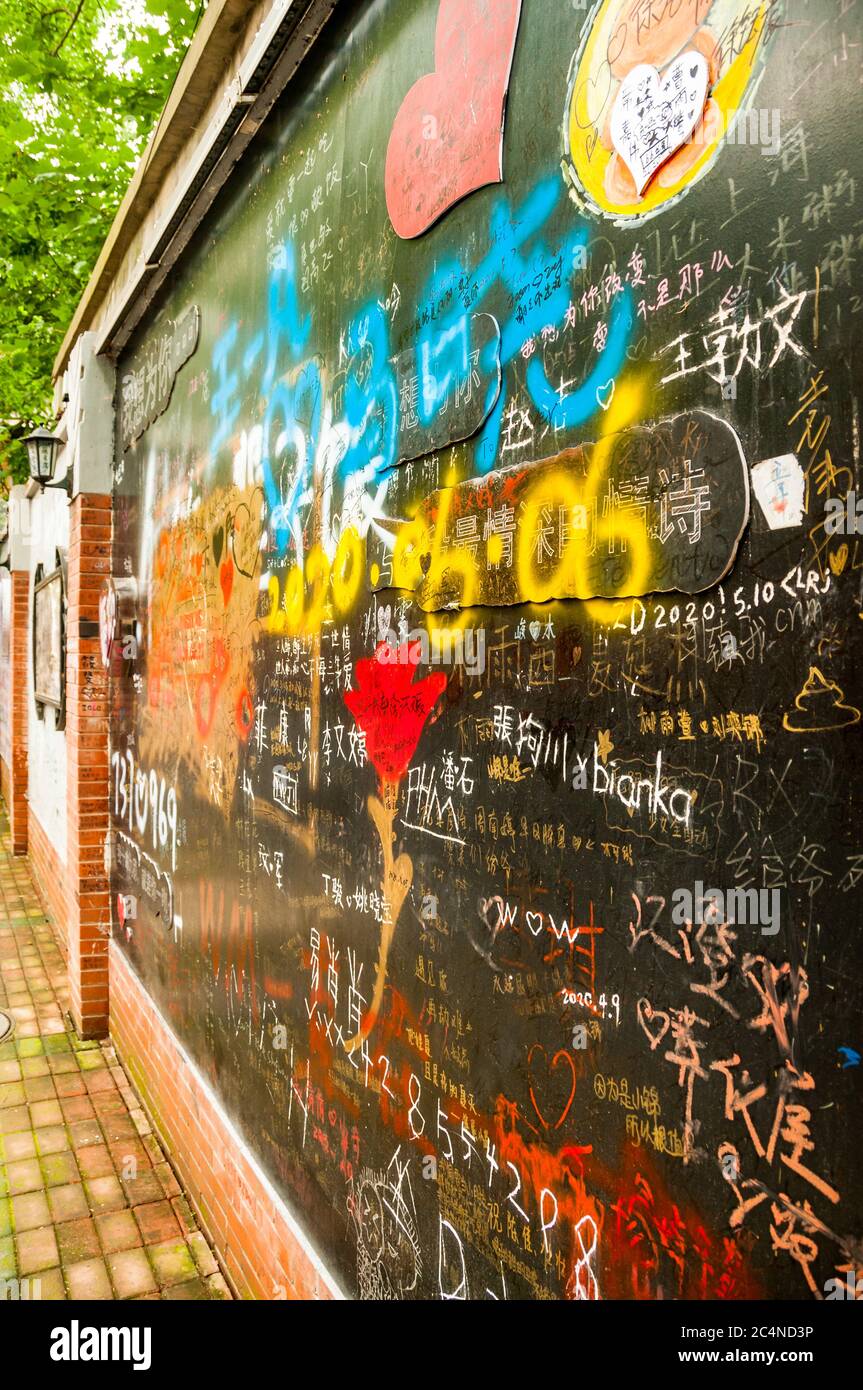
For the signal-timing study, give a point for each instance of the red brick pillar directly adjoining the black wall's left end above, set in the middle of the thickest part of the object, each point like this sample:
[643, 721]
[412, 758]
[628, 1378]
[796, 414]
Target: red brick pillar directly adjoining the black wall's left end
[87, 728]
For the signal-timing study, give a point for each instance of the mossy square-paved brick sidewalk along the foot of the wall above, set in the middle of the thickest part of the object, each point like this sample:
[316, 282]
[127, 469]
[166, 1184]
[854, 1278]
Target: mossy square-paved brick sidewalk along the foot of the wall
[90, 1207]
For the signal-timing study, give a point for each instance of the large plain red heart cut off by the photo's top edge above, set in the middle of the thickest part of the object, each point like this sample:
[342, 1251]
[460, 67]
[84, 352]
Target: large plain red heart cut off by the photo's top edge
[448, 137]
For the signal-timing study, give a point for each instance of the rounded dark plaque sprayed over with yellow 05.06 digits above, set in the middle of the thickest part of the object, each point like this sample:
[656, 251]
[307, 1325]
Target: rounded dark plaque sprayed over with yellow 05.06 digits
[646, 509]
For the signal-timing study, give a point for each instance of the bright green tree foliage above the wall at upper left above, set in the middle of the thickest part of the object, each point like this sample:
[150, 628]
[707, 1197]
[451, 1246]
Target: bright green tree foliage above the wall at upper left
[81, 88]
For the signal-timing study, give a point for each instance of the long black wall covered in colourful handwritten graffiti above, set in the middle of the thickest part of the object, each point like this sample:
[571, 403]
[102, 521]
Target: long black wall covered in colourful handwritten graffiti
[484, 636]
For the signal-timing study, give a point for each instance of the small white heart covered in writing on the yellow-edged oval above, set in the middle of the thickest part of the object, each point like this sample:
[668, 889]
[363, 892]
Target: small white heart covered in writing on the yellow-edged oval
[654, 116]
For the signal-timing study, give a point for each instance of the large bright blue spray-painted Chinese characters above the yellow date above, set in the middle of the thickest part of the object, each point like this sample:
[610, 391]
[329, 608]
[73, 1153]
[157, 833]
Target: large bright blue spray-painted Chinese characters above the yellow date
[536, 283]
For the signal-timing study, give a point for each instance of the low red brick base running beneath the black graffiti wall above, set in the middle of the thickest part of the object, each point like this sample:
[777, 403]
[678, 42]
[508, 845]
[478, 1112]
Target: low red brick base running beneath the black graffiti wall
[262, 1248]
